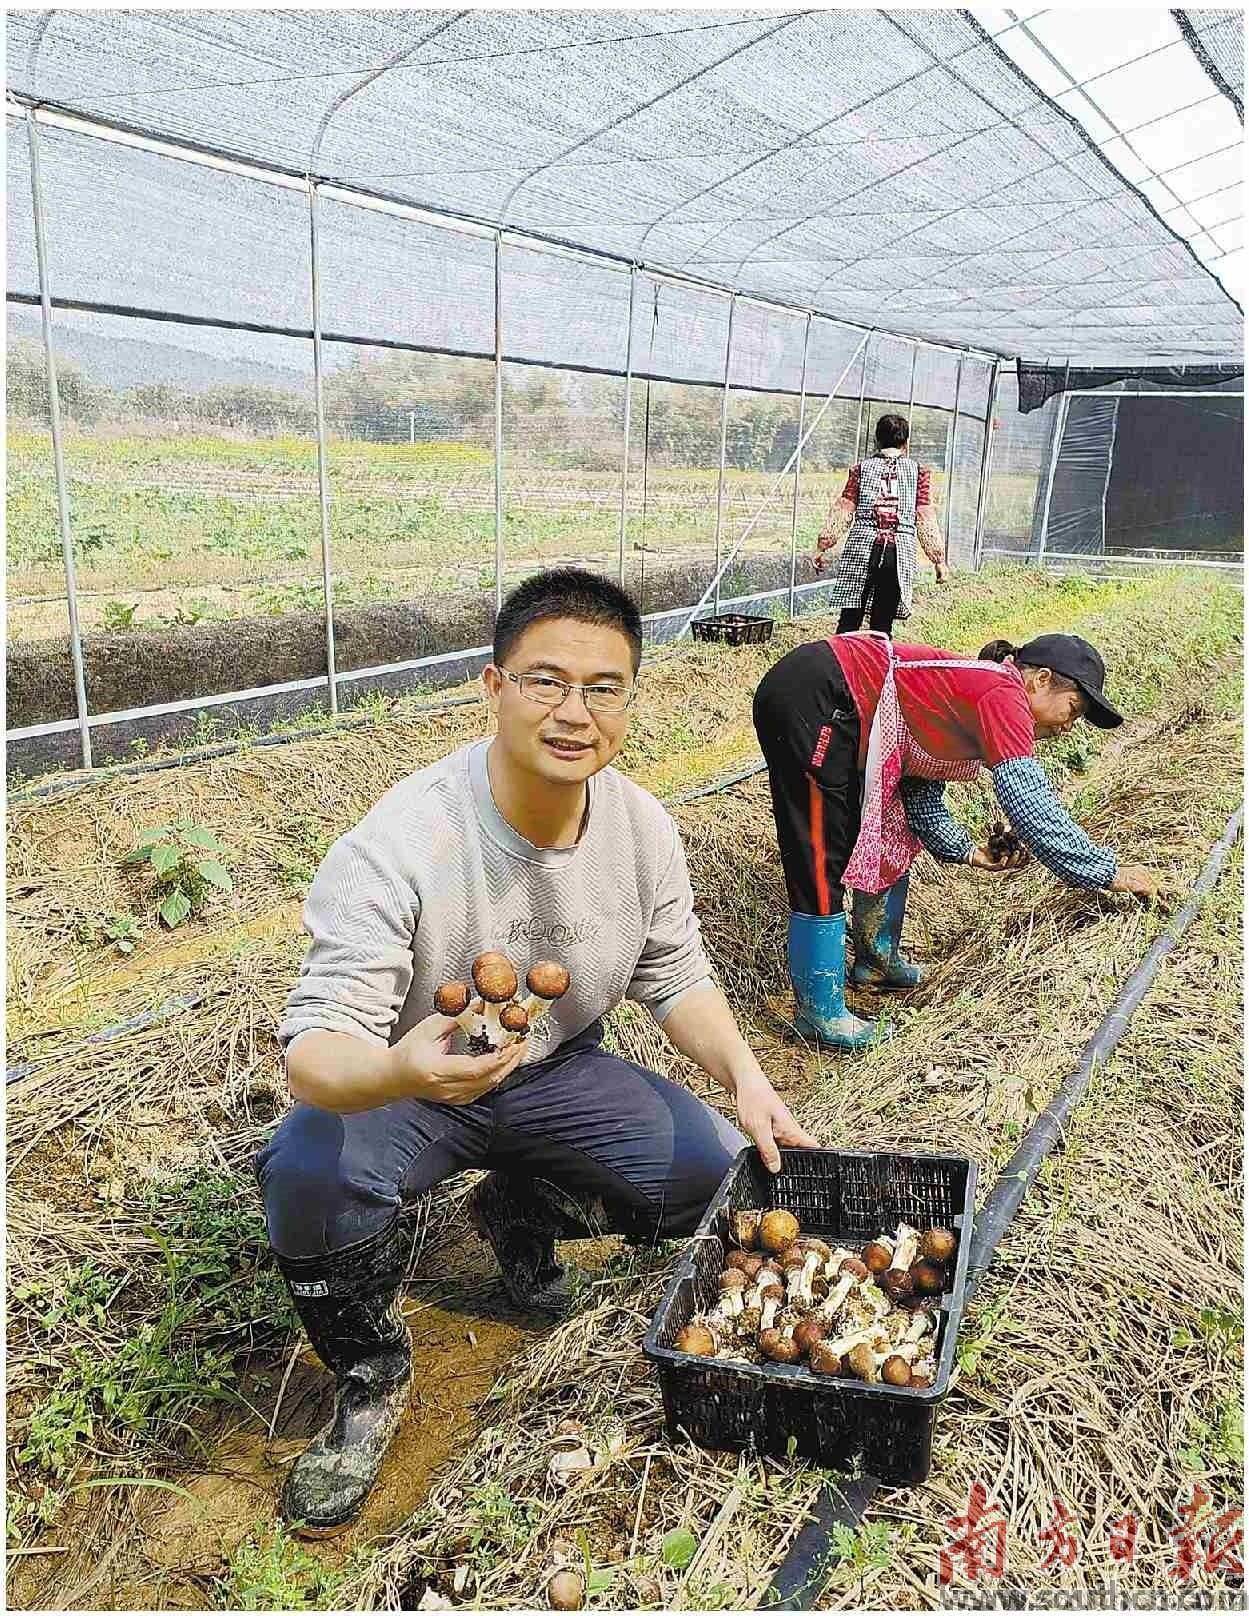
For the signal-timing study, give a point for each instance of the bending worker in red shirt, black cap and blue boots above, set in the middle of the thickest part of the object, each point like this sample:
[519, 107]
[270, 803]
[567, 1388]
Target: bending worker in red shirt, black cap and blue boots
[860, 736]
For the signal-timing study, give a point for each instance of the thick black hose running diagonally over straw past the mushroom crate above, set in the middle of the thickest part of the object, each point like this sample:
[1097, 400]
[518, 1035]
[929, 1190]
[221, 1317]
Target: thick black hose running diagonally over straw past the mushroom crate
[804, 1573]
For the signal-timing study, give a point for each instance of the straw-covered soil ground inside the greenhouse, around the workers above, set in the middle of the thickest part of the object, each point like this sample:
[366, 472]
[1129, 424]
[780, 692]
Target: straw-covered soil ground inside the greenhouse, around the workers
[156, 1389]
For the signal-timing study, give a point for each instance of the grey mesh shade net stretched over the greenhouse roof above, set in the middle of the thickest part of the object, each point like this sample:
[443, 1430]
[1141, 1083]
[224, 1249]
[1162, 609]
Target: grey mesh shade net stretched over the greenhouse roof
[972, 208]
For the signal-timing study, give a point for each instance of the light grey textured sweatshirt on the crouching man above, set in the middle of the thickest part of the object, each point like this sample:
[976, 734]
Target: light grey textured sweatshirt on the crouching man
[434, 877]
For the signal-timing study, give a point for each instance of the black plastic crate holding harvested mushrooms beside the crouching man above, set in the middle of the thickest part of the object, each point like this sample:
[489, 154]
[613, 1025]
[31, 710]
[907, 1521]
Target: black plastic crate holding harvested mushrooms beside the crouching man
[843, 1197]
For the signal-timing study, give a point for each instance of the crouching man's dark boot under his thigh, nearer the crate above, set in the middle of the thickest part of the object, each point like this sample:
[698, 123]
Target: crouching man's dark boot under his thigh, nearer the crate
[521, 1221]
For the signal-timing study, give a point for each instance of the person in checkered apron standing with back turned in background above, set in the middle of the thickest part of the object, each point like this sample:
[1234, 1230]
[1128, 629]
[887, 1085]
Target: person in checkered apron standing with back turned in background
[886, 508]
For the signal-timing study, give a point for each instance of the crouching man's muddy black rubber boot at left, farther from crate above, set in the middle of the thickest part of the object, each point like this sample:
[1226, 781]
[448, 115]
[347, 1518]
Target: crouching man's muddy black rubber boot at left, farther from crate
[348, 1302]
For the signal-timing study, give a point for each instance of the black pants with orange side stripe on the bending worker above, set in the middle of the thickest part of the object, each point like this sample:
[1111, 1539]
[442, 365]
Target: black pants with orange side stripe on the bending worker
[809, 733]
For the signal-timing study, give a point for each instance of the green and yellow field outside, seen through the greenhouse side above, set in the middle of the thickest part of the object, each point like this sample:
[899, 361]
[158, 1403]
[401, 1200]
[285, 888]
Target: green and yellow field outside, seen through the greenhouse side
[191, 528]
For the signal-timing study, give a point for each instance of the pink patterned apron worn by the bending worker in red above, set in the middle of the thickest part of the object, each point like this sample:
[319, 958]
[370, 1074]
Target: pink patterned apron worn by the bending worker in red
[886, 846]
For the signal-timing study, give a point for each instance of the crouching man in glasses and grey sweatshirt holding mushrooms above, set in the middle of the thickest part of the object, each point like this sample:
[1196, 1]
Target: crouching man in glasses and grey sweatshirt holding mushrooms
[531, 846]
